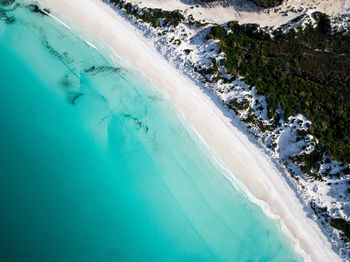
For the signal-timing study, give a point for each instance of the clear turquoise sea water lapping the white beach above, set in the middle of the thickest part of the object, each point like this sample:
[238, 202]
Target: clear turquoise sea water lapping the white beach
[95, 165]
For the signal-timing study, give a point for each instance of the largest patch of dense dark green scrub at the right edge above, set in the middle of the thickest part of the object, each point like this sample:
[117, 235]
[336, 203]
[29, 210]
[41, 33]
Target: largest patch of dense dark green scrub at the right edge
[305, 72]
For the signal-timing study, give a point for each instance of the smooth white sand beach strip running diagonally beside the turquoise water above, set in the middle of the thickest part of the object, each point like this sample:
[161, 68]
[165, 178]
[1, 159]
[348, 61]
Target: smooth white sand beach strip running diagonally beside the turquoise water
[243, 158]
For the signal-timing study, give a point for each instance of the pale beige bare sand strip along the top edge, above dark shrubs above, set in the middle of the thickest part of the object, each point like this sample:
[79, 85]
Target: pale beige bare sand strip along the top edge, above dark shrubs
[246, 12]
